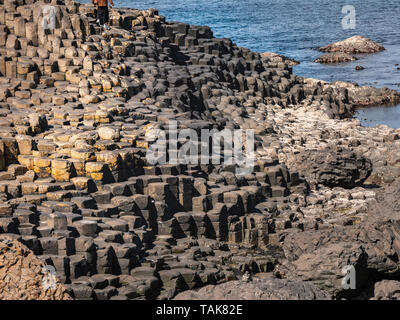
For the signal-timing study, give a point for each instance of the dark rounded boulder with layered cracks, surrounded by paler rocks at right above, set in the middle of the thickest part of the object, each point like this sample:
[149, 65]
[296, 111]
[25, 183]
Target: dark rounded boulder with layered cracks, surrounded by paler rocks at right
[333, 167]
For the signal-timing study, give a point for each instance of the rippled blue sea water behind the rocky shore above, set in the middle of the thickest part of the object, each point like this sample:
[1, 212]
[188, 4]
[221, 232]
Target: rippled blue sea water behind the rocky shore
[295, 28]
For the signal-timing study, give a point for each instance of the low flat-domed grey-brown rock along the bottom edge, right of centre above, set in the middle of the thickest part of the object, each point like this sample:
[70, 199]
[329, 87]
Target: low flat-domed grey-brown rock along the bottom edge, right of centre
[257, 289]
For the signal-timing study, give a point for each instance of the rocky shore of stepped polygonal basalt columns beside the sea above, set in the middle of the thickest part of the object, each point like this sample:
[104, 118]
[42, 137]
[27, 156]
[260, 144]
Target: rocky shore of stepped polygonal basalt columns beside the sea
[76, 188]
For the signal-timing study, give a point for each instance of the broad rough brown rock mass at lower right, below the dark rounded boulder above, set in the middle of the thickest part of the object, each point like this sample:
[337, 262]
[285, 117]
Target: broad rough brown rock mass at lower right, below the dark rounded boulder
[319, 256]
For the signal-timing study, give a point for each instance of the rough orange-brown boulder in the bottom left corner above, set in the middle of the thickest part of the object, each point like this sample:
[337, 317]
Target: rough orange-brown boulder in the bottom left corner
[21, 275]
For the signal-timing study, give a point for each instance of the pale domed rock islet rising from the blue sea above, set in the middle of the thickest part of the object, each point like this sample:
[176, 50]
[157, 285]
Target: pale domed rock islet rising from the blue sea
[353, 45]
